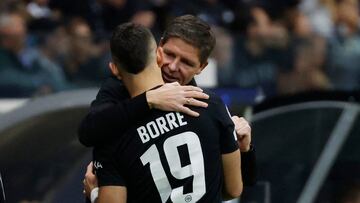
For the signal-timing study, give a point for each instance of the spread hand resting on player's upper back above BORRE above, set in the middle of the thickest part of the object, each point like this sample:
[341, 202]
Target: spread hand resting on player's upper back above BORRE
[174, 97]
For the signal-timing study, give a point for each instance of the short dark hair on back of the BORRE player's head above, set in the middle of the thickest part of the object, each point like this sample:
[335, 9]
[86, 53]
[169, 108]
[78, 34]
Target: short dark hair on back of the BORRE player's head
[130, 44]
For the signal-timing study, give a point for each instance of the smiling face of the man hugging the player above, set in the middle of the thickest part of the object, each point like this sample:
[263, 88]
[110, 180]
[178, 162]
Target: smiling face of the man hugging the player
[180, 61]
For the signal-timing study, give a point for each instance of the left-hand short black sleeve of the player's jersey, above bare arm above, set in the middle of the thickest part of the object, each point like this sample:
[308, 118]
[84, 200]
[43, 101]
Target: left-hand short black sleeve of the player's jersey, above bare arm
[105, 167]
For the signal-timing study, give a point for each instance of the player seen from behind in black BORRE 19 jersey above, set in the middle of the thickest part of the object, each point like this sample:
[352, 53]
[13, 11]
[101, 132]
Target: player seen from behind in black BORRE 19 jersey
[165, 156]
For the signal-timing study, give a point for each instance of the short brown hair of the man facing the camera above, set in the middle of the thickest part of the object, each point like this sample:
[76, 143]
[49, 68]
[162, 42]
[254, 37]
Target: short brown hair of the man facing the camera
[194, 31]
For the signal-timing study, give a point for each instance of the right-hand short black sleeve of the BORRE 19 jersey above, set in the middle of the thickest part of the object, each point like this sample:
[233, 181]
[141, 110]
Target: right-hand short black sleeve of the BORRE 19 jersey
[228, 140]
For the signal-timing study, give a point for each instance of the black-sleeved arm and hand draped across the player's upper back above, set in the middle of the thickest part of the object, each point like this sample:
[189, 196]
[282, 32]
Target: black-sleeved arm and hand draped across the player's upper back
[112, 111]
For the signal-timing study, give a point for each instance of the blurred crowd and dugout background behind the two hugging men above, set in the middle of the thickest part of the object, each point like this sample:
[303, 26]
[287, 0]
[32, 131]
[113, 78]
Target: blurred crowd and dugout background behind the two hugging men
[291, 67]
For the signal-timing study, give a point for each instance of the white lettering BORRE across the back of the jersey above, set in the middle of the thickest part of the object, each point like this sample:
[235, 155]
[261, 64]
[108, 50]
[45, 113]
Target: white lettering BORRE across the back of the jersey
[160, 126]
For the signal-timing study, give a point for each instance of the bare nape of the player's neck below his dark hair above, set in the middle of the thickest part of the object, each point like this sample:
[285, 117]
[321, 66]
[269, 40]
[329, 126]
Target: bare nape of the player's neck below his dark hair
[149, 78]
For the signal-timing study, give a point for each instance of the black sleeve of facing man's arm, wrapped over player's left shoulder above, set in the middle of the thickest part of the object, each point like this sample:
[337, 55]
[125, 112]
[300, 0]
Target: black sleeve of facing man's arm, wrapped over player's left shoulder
[111, 111]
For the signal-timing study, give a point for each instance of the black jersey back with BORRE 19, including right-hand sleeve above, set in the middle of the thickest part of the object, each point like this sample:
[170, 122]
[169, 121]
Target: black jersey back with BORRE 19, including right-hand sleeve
[171, 157]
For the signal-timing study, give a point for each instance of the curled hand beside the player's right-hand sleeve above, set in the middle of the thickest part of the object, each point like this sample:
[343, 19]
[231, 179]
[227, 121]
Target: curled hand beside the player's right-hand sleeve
[243, 133]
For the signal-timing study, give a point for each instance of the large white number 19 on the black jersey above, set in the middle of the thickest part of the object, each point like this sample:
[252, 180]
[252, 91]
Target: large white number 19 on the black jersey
[195, 168]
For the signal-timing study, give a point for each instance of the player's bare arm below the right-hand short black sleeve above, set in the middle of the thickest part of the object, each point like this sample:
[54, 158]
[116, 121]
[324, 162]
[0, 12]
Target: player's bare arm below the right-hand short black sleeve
[233, 184]
